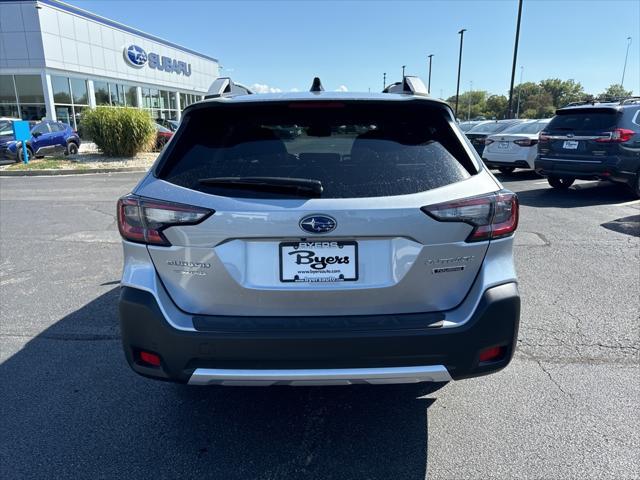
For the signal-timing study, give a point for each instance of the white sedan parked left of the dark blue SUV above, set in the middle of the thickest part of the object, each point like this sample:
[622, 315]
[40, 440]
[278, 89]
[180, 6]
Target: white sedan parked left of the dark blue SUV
[515, 147]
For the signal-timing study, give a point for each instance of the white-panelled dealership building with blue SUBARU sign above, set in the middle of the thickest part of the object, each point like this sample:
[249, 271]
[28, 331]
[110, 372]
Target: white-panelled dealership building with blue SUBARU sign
[57, 60]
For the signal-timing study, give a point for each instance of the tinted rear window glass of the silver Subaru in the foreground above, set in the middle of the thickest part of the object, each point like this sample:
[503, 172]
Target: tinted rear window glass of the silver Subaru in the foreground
[353, 149]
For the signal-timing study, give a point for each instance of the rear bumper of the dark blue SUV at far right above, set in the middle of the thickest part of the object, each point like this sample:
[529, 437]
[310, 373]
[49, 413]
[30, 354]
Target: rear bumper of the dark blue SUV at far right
[607, 169]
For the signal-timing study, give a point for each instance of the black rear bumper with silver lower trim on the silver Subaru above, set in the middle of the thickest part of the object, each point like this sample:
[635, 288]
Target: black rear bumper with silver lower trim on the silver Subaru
[331, 350]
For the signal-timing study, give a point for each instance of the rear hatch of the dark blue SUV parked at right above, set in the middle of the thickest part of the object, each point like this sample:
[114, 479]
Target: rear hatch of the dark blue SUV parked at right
[580, 138]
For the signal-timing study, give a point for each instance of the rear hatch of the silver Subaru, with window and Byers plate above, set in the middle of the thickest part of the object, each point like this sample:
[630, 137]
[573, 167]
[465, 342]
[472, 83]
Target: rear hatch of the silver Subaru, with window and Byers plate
[271, 242]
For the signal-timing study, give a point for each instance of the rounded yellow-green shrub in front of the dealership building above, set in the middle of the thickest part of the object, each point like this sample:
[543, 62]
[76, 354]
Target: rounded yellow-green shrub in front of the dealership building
[119, 132]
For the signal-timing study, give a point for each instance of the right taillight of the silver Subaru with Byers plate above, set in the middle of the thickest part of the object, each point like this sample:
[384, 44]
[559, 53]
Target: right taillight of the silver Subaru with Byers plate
[492, 216]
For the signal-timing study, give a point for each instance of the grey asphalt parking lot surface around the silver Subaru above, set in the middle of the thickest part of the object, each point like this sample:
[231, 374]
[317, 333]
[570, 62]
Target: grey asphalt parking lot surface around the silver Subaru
[566, 407]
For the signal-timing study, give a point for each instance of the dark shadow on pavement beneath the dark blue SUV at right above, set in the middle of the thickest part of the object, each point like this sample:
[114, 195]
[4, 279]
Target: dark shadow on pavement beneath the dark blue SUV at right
[583, 194]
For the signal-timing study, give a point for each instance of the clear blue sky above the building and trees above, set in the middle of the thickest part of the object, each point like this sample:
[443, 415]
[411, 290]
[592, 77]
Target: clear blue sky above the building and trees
[282, 45]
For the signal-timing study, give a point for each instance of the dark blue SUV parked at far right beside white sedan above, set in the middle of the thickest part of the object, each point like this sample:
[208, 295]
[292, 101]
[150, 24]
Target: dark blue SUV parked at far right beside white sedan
[596, 141]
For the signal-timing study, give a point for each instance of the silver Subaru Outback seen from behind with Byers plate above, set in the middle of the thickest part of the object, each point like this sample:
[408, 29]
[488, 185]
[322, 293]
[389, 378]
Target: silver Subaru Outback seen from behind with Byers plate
[318, 238]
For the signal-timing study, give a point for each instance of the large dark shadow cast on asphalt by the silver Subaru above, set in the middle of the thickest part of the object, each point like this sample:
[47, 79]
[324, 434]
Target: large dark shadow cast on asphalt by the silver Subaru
[72, 408]
